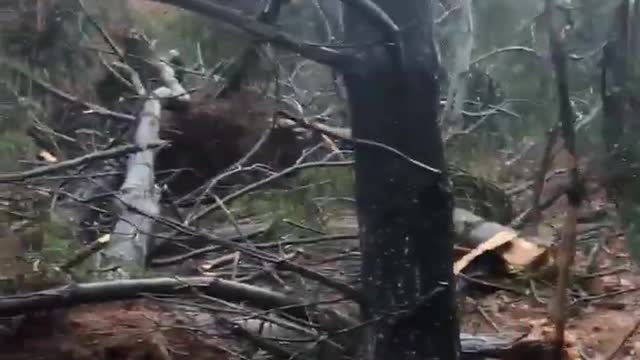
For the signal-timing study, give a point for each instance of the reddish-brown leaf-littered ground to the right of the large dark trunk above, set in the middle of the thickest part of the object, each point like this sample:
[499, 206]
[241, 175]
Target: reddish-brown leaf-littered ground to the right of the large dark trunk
[604, 317]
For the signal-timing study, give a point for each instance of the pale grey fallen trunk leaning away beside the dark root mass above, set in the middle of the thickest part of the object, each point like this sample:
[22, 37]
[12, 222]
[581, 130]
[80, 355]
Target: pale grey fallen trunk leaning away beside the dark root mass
[139, 195]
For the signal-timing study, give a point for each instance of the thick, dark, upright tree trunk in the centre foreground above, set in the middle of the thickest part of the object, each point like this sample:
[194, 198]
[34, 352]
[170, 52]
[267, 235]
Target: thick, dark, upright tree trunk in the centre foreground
[404, 211]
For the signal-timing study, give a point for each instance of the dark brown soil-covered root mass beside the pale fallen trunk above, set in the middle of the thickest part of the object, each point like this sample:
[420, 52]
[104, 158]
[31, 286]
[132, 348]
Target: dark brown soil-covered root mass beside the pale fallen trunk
[213, 134]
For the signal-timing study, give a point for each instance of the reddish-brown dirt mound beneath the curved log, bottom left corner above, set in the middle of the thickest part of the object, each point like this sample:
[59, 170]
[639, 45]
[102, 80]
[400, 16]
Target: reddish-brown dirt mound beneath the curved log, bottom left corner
[113, 331]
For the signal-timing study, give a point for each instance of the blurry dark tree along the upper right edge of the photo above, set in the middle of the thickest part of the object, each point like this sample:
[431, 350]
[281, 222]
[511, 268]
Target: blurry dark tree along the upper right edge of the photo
[621, 103]
